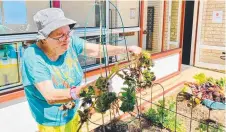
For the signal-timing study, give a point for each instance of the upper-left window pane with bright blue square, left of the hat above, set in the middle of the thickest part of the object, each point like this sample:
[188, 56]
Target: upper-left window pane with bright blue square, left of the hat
[17, 16]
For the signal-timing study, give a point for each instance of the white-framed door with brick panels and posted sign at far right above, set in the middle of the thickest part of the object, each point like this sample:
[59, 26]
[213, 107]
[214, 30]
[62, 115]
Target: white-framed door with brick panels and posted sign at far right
[211, 34]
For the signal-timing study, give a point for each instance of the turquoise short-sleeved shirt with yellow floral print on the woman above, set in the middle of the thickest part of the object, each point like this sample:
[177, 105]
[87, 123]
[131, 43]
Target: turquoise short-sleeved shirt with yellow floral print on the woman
[66, 71]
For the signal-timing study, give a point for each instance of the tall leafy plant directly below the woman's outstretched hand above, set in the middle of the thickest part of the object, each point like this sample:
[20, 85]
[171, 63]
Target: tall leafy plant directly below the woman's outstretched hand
[138, 76]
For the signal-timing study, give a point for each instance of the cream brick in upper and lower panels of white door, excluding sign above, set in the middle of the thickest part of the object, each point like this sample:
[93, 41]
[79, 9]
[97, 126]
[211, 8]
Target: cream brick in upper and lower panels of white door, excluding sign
[212, 34]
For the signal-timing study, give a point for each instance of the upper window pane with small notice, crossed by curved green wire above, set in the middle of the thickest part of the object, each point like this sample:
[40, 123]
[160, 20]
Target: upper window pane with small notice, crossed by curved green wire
[129, 14]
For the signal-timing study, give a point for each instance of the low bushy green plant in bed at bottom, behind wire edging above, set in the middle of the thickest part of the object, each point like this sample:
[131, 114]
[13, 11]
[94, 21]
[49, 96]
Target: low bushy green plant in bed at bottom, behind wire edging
[165, 117]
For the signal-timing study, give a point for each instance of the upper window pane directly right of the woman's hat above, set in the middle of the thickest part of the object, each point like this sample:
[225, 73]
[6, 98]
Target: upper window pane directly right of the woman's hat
[86, 13]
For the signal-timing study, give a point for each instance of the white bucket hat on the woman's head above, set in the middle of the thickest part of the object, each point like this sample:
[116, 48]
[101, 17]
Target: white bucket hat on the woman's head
[48, 20]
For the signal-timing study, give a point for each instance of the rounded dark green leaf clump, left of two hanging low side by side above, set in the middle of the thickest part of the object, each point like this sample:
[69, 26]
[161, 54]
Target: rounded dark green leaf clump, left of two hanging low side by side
[103, 102]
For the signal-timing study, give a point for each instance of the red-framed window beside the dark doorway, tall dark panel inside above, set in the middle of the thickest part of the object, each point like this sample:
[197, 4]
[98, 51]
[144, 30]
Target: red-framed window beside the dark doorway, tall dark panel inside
[157, 40]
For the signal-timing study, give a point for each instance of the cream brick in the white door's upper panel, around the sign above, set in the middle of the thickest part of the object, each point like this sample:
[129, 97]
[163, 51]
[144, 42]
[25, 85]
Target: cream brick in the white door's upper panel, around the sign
[213, 33]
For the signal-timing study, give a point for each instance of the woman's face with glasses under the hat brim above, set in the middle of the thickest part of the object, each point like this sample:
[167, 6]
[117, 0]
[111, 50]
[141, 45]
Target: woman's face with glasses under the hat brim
[58, 40]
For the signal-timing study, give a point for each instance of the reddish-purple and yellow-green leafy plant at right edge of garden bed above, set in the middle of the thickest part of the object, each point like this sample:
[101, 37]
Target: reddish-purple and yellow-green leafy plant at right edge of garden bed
[206, 88]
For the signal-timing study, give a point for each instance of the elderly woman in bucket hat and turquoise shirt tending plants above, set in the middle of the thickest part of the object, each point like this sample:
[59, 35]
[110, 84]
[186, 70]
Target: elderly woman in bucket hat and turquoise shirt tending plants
[50, 68]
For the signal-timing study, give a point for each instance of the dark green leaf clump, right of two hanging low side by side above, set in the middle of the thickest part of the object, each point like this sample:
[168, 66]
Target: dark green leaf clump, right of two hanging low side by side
[128, 99]
